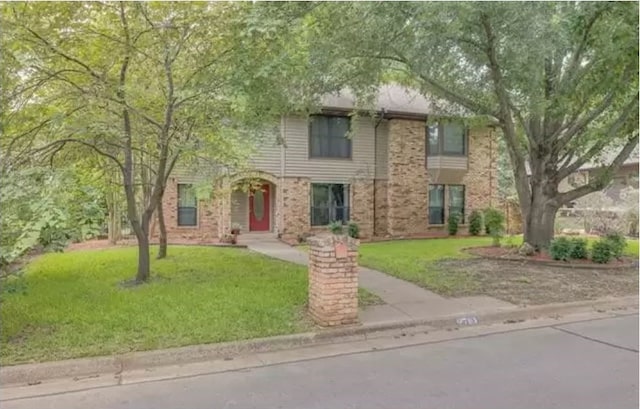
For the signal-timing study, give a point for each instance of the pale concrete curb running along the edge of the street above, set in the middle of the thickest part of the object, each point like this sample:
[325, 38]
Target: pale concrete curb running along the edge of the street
[91, 367]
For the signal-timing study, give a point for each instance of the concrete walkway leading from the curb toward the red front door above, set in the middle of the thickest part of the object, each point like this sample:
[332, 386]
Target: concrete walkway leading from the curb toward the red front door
[404, 301]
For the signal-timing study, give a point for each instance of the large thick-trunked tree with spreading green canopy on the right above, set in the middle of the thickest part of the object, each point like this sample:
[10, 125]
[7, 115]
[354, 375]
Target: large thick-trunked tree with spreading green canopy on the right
[559, 79]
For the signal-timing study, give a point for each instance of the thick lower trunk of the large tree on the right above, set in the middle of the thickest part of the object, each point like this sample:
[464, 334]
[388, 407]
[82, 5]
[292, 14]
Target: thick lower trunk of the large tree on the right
[539, 223]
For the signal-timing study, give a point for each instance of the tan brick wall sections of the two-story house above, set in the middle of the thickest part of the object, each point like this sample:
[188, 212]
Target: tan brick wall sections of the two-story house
[396, 206]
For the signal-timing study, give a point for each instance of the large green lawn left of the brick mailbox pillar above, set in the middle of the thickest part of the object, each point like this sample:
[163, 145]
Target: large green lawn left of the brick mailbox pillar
[70, 305]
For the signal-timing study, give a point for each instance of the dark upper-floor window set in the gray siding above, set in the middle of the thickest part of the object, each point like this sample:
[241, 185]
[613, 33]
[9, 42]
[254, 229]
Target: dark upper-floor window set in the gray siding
[328, 137]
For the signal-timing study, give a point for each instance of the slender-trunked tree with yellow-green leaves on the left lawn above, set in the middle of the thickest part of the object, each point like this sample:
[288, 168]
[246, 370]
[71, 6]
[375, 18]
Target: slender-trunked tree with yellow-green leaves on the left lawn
[140, 84]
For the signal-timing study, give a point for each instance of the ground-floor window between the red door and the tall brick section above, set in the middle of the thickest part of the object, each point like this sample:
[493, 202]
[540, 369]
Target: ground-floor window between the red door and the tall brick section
[329, 203]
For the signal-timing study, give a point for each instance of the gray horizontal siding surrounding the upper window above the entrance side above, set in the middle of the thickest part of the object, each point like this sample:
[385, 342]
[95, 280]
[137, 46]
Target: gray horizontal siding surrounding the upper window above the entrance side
[298, 163]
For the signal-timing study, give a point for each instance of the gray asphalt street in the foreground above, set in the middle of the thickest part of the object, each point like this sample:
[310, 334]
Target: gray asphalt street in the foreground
[584, 365]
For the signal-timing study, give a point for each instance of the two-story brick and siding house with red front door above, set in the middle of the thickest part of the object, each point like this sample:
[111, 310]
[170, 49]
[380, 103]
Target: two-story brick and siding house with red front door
[395, 175]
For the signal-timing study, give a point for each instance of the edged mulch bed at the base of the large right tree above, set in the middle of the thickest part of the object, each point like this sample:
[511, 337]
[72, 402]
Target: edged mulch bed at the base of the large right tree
[511, 254]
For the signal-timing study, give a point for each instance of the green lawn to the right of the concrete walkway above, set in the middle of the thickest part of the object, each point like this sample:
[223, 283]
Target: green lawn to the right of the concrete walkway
[413, 260]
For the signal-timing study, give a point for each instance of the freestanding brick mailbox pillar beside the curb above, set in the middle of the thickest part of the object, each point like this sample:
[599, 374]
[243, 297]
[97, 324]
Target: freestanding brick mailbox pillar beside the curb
[333, 280]
